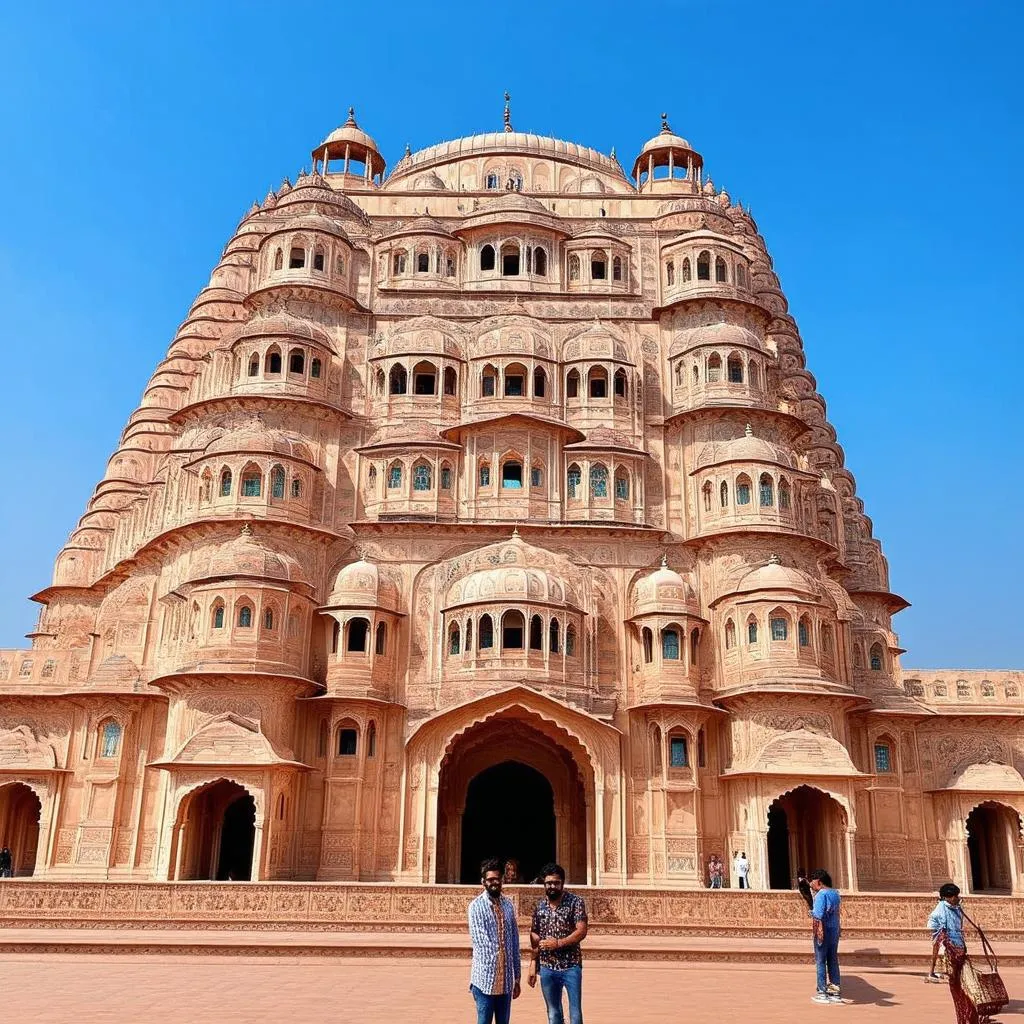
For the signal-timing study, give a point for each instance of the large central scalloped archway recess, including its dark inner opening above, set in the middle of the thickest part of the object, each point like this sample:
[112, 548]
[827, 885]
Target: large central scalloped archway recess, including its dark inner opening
[513, 790]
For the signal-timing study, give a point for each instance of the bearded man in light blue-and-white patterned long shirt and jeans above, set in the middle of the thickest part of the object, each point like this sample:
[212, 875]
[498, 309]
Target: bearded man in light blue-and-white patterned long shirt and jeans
[495, 934]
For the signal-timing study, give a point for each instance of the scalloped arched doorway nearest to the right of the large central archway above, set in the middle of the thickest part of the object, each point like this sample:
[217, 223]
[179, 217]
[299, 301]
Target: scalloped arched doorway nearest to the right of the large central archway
[806, 829]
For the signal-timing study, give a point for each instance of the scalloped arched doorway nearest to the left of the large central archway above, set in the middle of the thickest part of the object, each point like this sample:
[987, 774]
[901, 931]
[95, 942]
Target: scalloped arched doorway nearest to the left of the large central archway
[218, 834]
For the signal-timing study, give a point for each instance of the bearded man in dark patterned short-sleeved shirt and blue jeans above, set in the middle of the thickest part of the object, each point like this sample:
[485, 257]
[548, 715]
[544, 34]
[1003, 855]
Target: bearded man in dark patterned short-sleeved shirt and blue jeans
[559, 928]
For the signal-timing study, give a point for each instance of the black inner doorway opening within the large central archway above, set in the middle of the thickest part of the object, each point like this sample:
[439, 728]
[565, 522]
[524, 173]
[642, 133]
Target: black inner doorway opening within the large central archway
[510, 813]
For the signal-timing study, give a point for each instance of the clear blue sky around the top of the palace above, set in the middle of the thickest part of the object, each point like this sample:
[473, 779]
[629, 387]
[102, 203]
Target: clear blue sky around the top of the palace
[878, 144]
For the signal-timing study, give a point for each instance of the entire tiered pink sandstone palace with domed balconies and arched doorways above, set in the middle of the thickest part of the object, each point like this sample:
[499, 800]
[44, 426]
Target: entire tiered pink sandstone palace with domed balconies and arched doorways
[488, 507]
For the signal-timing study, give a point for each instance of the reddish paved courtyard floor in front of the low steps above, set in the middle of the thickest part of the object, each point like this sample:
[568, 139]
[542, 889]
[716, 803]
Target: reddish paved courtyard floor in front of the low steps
[203, 990]
